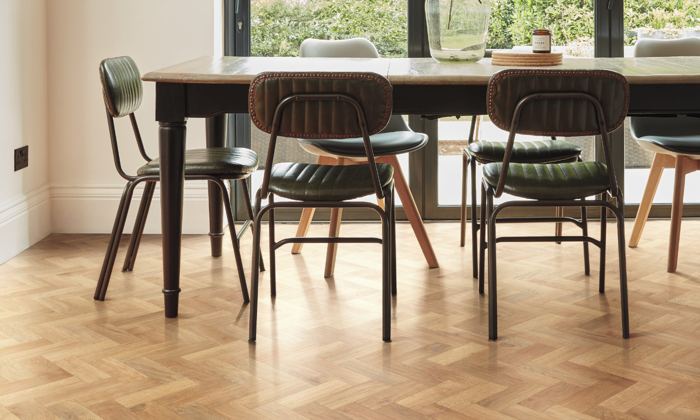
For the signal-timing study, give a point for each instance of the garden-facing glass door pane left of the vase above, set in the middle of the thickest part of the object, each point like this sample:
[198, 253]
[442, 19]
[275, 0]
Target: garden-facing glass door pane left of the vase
[278, 27]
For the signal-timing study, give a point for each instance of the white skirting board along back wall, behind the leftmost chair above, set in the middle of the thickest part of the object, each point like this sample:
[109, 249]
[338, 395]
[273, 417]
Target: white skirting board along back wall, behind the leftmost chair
[92, 208]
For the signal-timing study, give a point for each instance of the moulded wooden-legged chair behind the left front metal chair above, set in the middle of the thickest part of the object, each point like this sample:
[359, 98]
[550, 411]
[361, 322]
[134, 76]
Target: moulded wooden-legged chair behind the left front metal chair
[395, 139]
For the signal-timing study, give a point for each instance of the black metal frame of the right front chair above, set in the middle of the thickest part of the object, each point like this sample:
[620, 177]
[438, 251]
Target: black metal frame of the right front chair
[487, 208]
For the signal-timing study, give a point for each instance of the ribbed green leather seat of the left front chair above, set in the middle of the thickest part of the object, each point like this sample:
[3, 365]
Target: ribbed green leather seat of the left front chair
[310, 182]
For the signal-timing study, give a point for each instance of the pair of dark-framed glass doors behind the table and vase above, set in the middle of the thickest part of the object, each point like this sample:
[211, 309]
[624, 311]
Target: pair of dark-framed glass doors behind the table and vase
[580, 28]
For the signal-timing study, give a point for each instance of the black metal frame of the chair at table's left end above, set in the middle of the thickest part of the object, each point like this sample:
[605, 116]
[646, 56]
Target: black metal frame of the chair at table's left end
[140, 223]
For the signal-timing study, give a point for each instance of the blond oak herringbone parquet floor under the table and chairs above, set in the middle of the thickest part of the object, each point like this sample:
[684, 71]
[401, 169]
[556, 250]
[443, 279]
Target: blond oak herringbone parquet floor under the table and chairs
[319, 353]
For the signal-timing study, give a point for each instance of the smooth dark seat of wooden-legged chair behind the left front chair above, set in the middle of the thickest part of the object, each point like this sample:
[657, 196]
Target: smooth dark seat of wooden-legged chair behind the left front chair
[383, 144]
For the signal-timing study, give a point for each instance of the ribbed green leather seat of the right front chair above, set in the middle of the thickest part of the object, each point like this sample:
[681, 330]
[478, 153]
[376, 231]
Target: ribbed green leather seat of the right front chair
[552, 181]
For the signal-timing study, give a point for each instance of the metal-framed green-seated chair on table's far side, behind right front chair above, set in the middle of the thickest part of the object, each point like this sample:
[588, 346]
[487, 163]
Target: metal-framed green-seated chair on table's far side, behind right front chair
[484, 152]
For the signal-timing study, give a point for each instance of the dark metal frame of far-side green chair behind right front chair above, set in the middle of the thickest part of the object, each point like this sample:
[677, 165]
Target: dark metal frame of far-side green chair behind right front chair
[469, 161]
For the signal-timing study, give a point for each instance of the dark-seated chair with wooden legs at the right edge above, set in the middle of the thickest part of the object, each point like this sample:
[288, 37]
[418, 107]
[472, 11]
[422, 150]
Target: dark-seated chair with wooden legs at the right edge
[675, 143]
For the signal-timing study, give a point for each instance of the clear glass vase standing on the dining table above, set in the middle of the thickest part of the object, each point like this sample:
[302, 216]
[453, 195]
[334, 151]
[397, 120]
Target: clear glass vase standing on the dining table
[457, 29]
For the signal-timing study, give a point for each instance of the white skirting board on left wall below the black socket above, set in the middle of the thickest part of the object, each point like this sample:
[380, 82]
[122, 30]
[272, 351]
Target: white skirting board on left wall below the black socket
[24, 221]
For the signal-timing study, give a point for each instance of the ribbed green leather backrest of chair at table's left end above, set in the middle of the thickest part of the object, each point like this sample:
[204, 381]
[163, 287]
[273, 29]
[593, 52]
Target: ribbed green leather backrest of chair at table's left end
[121, 85]
